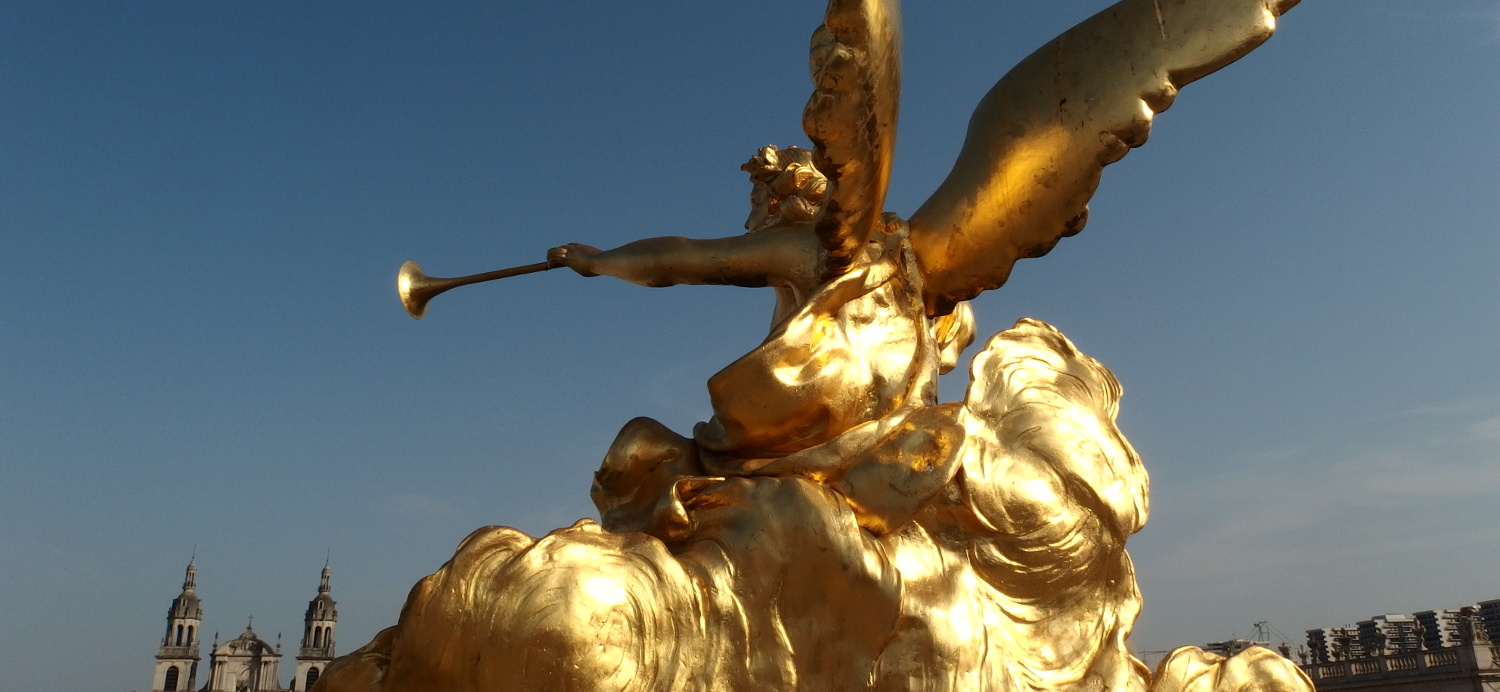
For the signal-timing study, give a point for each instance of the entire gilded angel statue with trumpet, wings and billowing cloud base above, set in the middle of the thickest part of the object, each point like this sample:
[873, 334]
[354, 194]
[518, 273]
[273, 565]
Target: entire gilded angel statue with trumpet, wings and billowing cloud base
[833, 526]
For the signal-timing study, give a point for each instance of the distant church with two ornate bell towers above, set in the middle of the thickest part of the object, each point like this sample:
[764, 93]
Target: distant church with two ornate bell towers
[245, 664]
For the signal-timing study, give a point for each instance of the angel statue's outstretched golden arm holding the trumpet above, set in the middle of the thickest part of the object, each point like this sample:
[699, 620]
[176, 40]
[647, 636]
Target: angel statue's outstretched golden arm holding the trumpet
[772, 257]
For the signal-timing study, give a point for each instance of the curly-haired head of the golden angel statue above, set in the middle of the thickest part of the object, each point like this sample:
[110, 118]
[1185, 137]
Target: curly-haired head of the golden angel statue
[788, 188]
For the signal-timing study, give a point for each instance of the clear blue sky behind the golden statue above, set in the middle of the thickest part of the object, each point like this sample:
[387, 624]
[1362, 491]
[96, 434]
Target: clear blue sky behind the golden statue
[203, 208]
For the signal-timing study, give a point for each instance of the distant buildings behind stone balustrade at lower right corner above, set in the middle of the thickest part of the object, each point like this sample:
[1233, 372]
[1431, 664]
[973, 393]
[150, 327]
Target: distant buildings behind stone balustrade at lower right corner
[1447, 651]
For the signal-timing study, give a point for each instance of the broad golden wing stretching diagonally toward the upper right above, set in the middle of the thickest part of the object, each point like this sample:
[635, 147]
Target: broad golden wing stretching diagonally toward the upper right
[1040, 140]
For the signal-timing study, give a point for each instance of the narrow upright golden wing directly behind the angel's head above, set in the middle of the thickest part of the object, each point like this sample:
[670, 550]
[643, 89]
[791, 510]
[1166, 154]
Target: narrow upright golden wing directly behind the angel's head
[851, 119]
